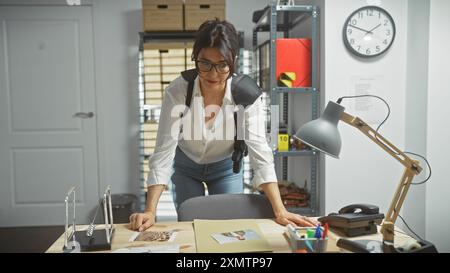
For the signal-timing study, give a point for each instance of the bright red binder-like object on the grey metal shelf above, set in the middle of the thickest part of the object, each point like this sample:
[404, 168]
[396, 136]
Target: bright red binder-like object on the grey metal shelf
[294, 55]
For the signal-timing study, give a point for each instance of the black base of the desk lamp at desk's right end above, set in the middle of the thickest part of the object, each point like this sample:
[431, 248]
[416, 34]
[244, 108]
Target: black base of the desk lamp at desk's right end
[370, 246]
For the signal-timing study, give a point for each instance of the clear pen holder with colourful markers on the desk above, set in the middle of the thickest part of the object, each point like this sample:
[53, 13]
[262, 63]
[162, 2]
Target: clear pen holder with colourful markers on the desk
[301, 241]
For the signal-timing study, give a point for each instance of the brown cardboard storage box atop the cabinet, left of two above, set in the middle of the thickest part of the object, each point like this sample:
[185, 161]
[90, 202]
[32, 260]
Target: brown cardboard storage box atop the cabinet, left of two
[162, 15]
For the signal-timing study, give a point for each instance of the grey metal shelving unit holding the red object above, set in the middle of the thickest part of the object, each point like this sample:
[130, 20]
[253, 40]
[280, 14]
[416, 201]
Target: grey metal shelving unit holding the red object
[284, 18]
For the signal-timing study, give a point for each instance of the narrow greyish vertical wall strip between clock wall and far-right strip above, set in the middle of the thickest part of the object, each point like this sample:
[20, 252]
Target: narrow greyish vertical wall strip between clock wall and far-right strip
[416, 107]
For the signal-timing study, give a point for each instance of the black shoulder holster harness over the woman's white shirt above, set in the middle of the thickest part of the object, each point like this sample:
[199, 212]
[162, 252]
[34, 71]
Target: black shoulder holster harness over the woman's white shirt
[245, 91]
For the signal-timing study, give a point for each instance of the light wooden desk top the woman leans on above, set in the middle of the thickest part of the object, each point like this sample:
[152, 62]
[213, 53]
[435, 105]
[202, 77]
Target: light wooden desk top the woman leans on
[273, 232]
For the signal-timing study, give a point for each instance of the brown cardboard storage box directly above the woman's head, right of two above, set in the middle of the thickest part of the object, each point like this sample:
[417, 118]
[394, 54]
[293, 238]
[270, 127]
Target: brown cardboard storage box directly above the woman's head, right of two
[198, 11]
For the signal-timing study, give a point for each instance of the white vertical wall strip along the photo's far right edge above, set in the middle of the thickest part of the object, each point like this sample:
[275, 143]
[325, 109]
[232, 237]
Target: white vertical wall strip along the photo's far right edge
[438, 189]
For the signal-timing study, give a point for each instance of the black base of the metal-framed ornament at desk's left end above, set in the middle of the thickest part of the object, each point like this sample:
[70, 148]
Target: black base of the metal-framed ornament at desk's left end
[98, 240]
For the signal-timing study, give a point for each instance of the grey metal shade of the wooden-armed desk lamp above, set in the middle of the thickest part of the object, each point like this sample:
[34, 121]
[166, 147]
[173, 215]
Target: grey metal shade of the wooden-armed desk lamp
[322, 134]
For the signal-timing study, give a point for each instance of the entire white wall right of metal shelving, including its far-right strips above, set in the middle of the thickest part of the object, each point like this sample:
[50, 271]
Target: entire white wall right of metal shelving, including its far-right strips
[413, 79]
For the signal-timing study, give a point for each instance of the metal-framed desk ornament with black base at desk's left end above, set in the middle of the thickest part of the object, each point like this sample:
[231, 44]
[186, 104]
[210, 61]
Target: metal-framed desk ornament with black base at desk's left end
[93, 238]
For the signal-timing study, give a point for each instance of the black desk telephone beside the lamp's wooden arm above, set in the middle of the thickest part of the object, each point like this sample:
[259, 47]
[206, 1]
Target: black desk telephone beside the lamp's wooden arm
[355, 220]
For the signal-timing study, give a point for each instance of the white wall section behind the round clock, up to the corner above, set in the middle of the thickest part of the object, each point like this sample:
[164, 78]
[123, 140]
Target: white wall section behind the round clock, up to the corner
[365, 173]
